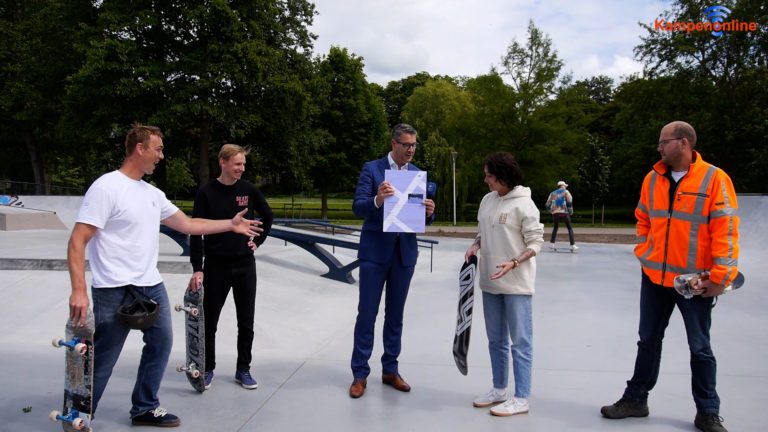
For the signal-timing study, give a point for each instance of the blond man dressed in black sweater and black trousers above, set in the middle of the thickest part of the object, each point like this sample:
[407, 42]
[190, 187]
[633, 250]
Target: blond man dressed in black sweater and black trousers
[229, 261]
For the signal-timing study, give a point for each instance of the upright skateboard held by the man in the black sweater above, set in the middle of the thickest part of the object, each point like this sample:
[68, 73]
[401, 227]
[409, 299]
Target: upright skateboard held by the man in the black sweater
[194, 327]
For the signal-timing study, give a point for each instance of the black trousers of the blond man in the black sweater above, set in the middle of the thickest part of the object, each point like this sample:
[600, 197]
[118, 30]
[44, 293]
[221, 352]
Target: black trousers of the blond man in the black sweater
[218, 279]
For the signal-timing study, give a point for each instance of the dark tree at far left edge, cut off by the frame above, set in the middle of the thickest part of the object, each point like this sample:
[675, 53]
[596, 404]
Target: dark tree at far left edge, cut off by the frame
[35, 60]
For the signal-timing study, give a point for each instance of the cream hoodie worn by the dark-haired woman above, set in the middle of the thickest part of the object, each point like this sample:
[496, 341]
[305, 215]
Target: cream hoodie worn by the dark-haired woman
[508, 225]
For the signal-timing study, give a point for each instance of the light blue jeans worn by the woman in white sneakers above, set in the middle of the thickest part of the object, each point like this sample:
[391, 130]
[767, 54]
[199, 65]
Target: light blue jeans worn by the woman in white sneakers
[510, 316]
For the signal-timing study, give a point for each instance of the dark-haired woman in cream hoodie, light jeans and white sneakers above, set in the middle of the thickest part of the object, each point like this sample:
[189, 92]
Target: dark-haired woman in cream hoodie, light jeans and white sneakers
[510, 235]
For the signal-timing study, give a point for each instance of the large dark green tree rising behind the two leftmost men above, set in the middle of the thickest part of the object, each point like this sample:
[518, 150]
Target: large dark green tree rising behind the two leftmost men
[202, 70]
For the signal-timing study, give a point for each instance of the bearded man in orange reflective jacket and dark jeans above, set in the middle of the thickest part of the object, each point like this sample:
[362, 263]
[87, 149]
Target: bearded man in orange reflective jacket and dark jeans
[686, 222]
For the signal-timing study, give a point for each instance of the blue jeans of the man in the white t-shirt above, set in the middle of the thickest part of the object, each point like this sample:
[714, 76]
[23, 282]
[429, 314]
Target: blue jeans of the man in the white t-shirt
[110, 337]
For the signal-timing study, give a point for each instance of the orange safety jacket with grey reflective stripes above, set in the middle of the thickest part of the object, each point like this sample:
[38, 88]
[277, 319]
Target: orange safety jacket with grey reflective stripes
[699, 231]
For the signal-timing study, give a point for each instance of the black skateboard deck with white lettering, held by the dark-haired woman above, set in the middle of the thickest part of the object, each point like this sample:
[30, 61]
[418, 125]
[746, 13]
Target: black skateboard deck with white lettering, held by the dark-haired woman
[464, 315]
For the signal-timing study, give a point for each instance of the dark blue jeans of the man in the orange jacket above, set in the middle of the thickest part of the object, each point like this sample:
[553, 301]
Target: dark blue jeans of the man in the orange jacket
[656, 306]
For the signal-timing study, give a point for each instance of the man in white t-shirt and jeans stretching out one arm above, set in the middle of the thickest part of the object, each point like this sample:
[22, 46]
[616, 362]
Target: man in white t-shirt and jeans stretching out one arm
[118, 223]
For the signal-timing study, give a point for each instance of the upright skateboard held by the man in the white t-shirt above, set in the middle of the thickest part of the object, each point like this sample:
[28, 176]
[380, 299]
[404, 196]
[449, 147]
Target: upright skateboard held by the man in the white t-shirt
[78, 377]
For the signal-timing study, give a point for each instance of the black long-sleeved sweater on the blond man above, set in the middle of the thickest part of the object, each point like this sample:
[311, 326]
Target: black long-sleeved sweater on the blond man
[219, 201]
